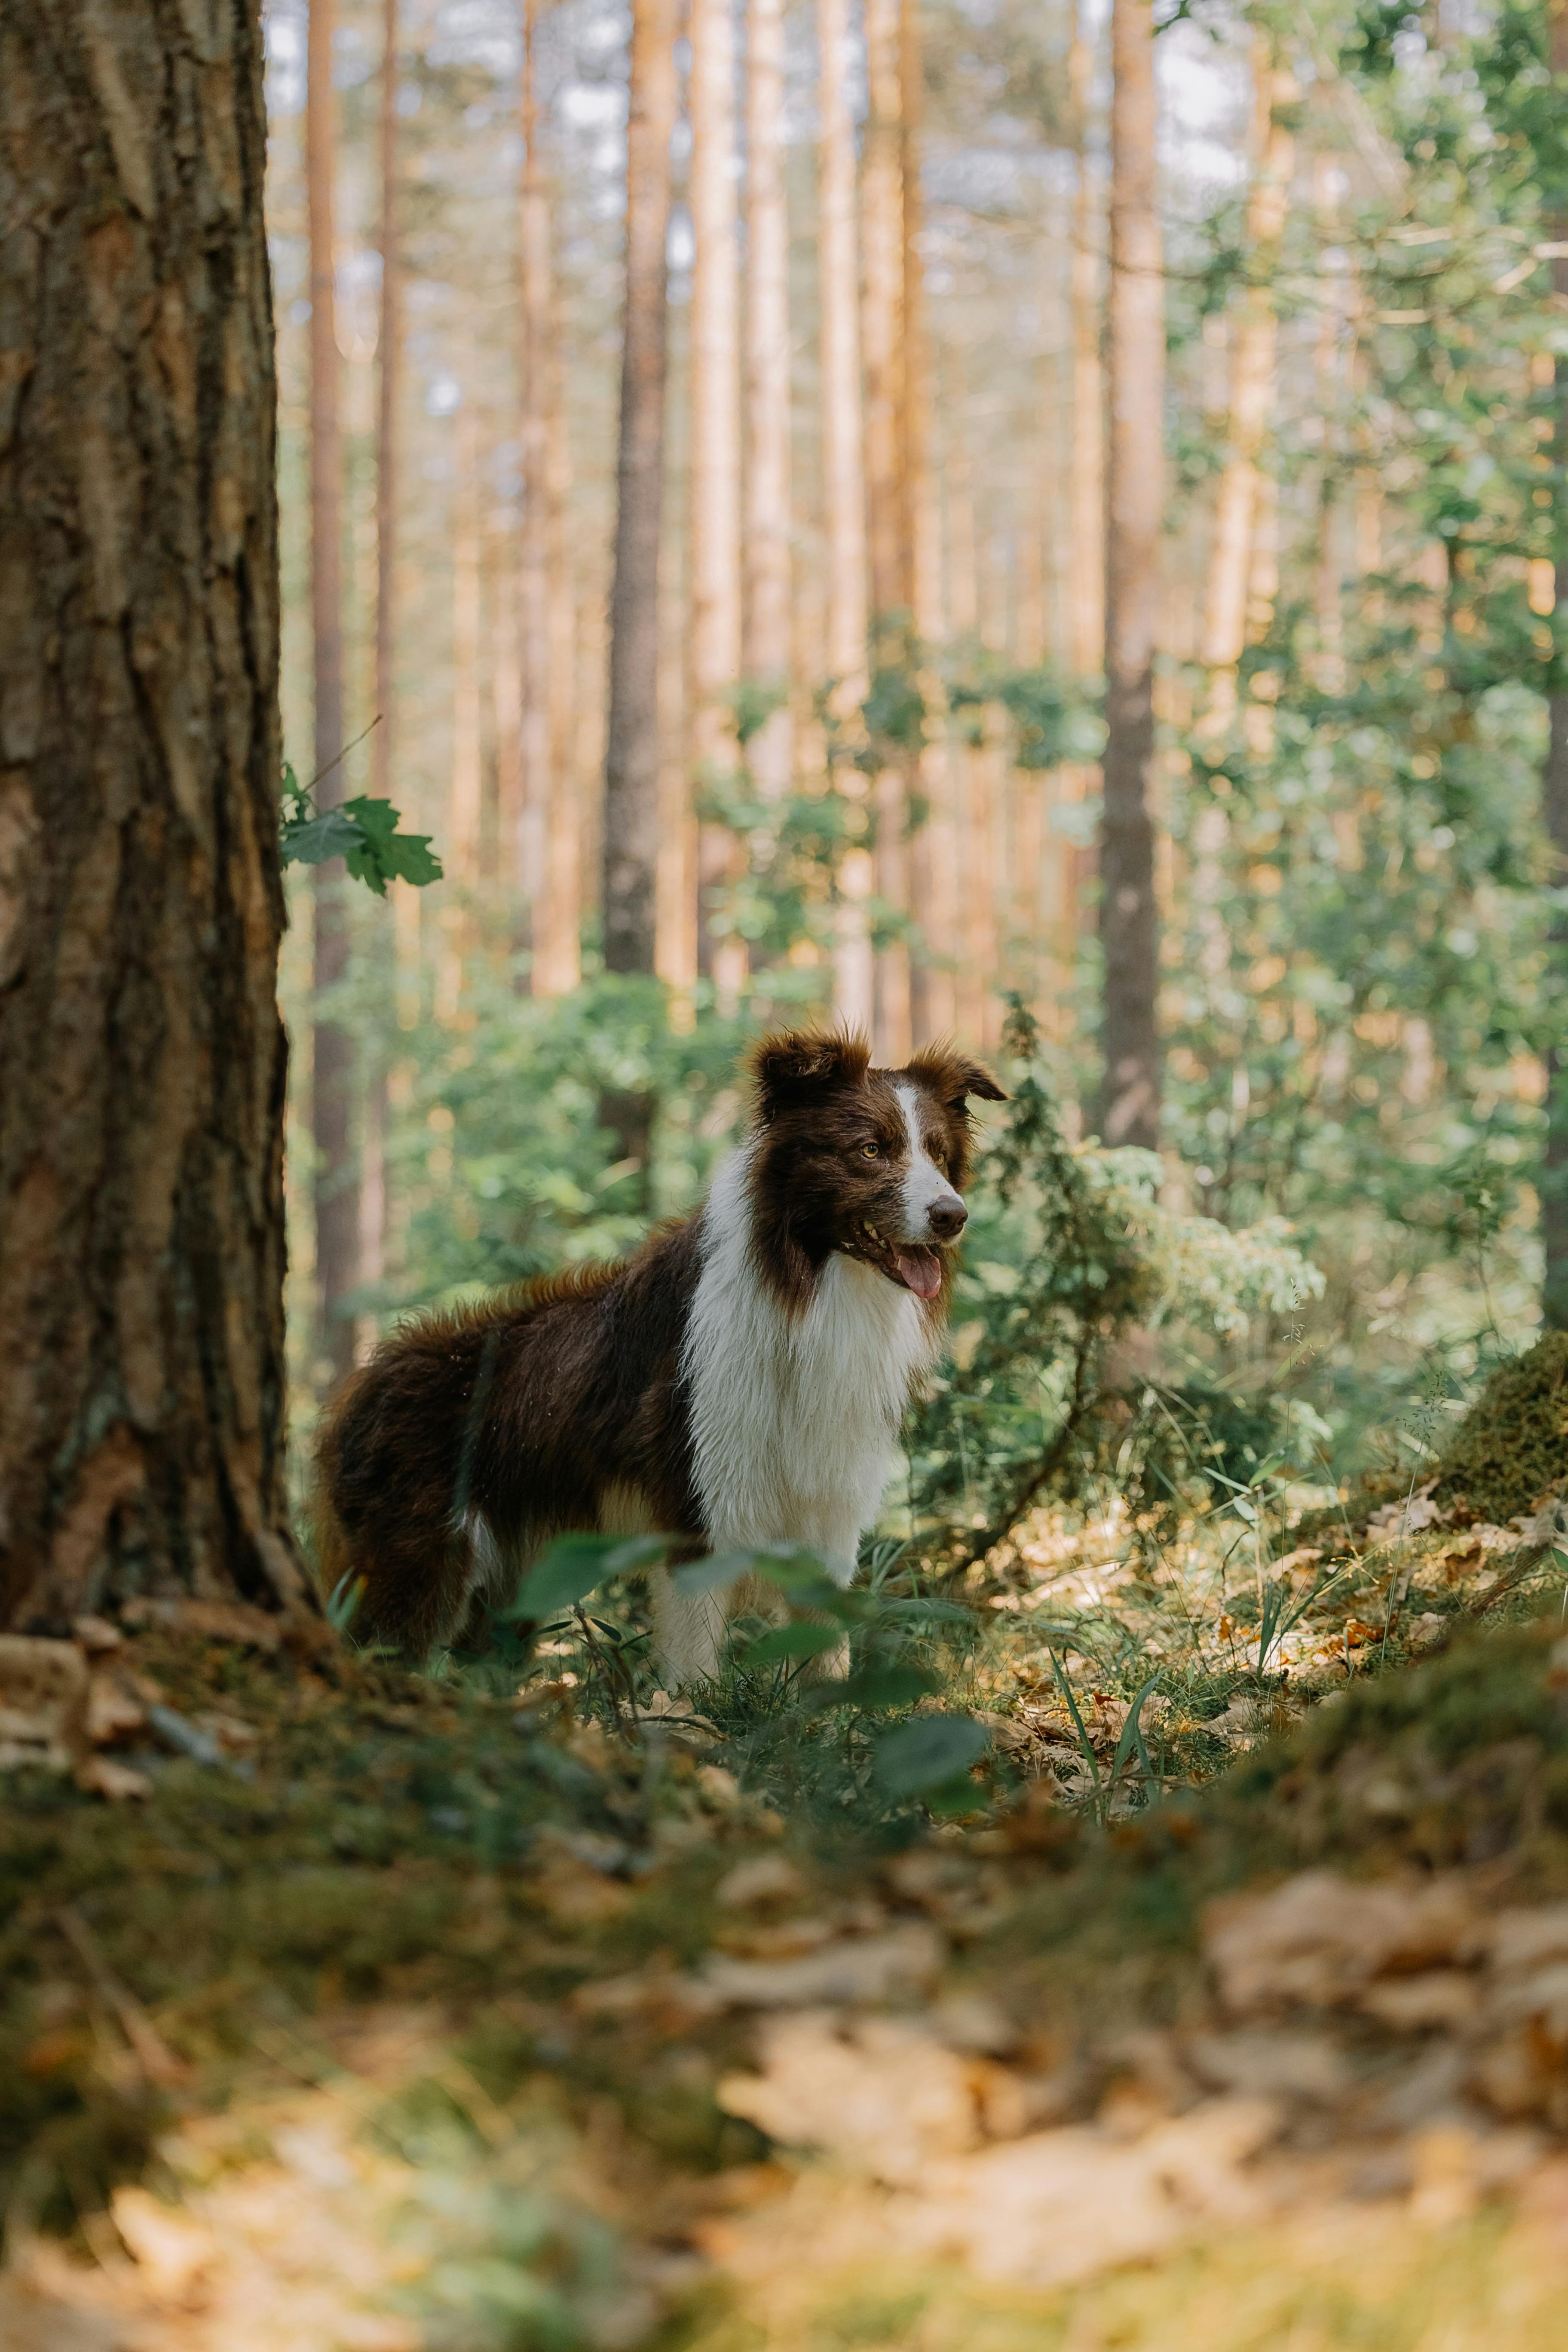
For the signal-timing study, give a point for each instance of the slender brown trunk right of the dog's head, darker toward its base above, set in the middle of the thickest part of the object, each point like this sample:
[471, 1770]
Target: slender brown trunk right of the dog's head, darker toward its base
[1130, 1102]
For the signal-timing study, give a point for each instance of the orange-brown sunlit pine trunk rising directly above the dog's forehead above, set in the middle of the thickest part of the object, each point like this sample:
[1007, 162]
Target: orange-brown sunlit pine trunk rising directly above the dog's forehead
[887, 483]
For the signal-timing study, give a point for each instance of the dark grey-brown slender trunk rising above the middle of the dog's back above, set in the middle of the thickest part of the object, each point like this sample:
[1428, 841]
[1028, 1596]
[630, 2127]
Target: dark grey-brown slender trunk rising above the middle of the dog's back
[631, 756]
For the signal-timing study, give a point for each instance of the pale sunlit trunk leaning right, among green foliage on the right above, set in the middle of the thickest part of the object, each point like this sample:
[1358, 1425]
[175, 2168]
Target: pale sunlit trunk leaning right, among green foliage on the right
[1252, 387]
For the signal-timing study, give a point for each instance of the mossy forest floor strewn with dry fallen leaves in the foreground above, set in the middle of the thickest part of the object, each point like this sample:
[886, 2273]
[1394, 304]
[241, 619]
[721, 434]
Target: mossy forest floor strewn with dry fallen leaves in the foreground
[387, 2012]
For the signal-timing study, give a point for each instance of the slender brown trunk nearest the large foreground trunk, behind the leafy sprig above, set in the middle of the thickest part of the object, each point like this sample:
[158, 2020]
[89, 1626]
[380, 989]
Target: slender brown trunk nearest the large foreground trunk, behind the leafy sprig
[337, 1205]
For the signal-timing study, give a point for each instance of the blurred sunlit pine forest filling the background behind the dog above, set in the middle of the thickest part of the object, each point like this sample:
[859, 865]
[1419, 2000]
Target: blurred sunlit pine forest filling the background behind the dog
[880, 620]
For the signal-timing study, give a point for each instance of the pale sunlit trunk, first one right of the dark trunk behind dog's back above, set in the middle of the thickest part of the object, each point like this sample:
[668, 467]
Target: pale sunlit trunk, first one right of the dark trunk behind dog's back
[716, 460]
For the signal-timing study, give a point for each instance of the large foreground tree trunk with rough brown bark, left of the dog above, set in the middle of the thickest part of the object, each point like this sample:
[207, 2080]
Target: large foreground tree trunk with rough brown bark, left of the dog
[142, 1062]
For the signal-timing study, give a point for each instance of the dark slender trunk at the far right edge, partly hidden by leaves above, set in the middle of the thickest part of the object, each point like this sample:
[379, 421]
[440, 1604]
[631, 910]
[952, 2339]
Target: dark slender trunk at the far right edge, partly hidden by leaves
[1555, 817]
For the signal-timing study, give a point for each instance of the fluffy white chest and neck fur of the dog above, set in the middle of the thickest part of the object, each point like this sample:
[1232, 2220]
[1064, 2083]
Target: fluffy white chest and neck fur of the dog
[796, 1419]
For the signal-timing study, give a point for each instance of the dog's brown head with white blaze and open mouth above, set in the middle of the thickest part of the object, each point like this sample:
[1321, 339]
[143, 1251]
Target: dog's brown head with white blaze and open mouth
[869, 1163]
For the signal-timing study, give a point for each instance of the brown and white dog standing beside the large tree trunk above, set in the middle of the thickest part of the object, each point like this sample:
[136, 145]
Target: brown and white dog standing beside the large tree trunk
[737, 1384]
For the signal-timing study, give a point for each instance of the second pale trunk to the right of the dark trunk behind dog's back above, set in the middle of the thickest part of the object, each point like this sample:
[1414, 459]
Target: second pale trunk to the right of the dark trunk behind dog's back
[768, 401]
